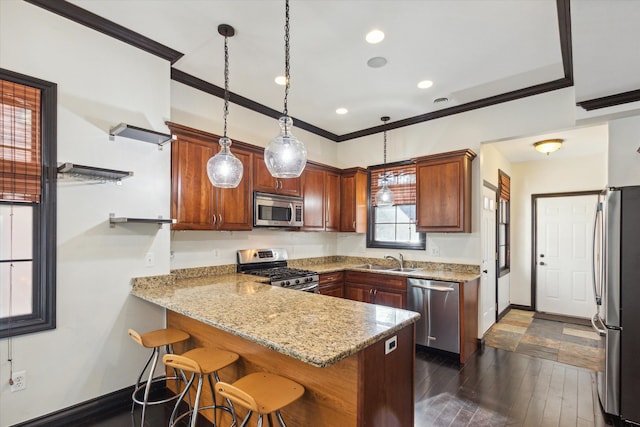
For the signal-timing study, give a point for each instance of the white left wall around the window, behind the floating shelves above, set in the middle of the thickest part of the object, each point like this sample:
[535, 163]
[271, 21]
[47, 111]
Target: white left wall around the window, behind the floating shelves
[101, 82]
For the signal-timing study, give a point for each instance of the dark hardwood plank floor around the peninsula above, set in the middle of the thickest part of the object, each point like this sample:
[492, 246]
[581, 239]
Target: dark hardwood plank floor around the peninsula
[494, 388]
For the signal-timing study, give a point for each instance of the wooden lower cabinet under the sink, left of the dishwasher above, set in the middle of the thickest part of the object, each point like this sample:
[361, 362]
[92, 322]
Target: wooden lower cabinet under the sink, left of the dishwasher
[376, 288]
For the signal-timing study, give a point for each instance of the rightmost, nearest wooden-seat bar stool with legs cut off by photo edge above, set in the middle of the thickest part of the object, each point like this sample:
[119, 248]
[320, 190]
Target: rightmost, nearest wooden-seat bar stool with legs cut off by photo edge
[263, 393]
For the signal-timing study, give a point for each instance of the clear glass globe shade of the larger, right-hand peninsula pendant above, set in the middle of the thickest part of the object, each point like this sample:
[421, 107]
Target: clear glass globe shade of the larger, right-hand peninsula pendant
[285, 155]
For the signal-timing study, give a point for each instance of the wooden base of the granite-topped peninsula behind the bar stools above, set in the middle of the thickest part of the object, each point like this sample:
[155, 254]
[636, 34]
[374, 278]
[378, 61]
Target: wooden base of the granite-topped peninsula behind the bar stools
[369, 388]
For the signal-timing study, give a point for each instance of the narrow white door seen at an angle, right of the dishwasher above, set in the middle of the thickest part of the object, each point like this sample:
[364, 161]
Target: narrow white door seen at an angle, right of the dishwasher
[488, 281]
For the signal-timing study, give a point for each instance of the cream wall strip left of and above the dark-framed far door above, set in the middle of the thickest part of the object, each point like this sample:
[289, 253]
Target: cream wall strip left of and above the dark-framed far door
[544, 176]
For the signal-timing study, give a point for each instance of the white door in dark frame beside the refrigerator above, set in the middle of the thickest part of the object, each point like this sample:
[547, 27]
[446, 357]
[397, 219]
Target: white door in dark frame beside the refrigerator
[564, 282]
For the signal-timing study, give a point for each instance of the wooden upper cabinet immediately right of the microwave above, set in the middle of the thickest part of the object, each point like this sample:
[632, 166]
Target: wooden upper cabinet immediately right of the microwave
[321, 193]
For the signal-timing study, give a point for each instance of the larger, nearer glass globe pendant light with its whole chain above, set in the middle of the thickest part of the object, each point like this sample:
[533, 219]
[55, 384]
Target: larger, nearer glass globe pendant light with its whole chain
[285, 155]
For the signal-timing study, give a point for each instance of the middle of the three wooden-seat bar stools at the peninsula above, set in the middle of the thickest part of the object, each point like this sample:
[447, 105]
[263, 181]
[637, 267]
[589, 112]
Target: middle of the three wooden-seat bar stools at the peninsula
[204, 362]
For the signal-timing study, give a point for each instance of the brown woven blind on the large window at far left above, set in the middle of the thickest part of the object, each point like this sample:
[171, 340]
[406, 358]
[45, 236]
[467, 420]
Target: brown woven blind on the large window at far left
[20, 161]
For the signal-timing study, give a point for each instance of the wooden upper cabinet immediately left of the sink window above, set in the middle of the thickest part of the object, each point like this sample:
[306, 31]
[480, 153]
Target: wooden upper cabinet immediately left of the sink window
[353, 200]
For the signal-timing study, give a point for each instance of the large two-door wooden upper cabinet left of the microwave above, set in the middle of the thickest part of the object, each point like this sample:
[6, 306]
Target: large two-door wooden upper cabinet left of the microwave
[195, 203]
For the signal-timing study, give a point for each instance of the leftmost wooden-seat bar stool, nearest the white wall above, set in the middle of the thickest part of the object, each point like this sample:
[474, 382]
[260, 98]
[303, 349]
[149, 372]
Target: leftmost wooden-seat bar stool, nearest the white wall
[155, 340]
